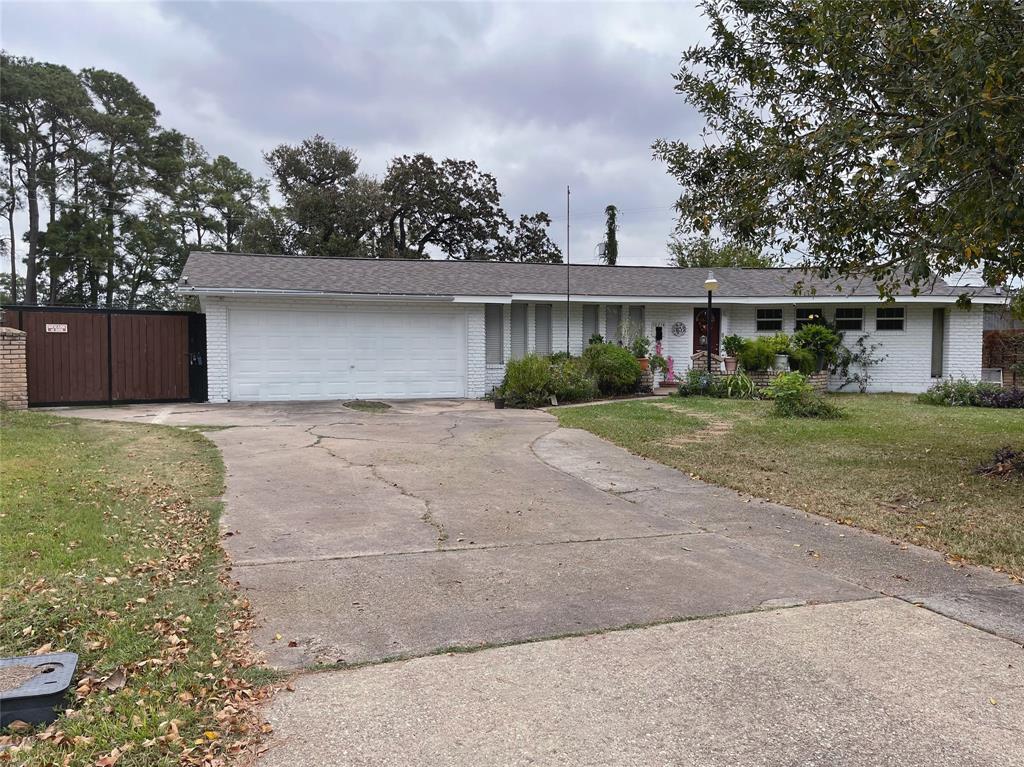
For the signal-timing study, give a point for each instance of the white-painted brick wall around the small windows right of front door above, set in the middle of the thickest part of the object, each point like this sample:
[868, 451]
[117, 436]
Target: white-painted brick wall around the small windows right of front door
[908, 364]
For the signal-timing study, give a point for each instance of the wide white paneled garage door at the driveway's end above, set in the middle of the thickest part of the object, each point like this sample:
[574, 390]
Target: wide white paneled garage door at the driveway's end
[347, 353]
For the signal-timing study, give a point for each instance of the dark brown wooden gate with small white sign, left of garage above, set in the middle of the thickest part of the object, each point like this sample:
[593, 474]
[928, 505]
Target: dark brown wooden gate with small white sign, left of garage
[104, 357]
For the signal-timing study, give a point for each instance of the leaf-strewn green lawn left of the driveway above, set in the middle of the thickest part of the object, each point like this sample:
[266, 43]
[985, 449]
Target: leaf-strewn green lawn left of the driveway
[109, 548]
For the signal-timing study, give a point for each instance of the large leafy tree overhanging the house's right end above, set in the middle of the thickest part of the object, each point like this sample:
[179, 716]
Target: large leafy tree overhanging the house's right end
[883, 138]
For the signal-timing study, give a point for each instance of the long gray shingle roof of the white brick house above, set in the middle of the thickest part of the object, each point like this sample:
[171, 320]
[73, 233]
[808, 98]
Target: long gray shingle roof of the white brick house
[369, 277]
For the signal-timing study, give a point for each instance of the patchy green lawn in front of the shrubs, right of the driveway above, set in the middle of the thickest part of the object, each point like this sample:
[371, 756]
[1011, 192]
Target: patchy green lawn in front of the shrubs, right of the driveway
[893, 466]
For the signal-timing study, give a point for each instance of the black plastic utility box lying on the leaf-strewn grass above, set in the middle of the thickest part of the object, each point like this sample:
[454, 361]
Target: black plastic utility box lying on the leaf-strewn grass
[35, 700]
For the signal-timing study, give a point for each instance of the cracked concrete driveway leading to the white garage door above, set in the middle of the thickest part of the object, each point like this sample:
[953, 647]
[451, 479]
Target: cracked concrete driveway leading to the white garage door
[443, 527]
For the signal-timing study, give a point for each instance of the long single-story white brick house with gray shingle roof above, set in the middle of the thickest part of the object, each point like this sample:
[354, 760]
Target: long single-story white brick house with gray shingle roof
[290, 328]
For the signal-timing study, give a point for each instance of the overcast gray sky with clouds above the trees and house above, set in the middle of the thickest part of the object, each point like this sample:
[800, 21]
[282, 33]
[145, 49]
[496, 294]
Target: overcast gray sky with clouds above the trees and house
[540, 95]
